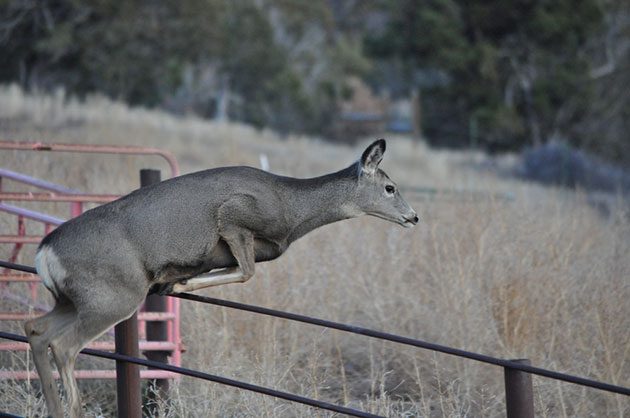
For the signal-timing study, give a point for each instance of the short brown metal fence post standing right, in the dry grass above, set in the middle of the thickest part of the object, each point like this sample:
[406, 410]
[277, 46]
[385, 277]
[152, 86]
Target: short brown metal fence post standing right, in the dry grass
[519, 395]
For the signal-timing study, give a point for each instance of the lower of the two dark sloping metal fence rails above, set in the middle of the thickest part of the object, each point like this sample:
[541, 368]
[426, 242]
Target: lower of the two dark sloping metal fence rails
[214, 378]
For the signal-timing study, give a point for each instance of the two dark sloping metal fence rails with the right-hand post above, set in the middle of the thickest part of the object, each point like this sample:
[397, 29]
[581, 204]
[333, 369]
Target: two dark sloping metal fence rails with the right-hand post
[519, 400]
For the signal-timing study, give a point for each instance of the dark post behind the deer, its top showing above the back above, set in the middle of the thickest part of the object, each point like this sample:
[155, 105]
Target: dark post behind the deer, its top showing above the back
[156, 330]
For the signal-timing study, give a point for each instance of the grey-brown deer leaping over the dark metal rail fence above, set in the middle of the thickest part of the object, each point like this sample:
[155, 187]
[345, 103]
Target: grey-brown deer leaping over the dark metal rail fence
[203, 229]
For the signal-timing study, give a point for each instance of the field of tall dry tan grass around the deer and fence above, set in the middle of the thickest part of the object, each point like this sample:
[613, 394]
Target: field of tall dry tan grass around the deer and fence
[543, 276]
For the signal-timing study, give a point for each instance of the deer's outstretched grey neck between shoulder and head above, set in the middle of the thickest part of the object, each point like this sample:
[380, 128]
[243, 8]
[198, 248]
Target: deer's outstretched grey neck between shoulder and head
[322, 200]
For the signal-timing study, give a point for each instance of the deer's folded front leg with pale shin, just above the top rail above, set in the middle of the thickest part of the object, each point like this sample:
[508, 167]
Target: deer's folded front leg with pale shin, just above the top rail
[241, 243]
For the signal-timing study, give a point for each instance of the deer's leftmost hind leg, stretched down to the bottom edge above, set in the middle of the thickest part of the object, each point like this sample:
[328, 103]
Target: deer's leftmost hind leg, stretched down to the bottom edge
[40, 332]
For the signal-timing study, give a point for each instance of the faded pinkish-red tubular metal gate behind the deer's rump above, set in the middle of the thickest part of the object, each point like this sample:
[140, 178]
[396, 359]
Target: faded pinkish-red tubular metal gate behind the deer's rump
[50, 192]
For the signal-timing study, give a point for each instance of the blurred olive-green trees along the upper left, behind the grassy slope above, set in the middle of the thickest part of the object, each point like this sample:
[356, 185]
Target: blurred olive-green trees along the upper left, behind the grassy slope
[140, 51]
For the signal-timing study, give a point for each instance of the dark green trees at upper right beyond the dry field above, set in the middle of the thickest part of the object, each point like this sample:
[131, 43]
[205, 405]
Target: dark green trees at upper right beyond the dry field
[515, 69]
